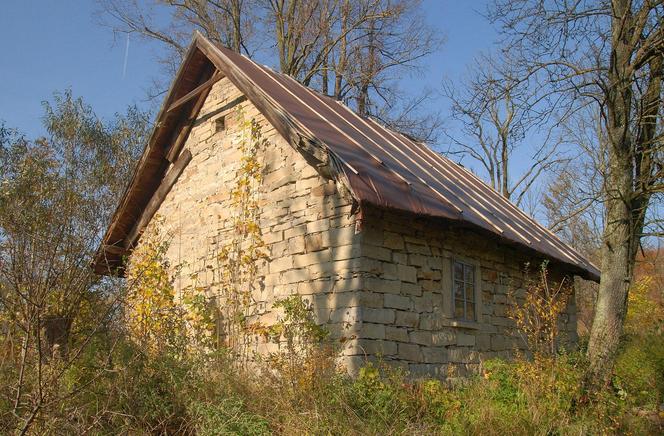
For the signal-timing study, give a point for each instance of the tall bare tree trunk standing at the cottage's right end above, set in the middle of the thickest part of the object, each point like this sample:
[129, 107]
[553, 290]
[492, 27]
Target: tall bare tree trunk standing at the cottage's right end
[621, 233]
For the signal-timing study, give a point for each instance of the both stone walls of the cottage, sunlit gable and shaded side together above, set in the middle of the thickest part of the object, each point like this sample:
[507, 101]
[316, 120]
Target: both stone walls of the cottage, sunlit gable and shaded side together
[382, 282]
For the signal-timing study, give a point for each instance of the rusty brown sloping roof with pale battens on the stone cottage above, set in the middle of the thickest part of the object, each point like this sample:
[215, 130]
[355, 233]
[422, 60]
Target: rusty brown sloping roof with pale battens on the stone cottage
[383, 167]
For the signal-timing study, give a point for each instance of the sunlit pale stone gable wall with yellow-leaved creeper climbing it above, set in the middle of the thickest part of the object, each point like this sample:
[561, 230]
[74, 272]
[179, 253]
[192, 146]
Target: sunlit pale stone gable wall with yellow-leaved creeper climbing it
[305, 222]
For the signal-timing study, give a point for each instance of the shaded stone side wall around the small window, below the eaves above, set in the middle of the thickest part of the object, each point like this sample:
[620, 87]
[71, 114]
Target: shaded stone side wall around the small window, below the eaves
[407, 265]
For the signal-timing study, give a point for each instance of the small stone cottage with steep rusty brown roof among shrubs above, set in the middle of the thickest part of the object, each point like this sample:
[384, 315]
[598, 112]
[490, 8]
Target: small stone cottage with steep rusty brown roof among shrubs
[401, 251]
